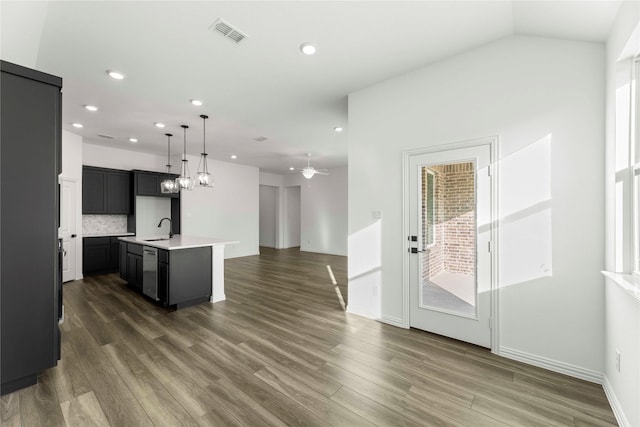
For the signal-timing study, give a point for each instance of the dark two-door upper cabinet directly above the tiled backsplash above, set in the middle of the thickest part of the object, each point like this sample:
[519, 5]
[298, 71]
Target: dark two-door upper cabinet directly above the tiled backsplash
[105, 191]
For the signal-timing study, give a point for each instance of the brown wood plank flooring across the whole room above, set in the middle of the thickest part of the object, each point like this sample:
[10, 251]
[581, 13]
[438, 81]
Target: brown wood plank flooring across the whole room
[280, 351]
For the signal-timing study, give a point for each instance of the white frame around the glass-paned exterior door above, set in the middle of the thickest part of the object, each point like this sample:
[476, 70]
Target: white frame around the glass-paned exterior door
[492, 142]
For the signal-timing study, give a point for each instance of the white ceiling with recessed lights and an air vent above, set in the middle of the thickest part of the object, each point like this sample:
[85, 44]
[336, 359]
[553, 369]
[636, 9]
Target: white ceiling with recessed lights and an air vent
[264, 86]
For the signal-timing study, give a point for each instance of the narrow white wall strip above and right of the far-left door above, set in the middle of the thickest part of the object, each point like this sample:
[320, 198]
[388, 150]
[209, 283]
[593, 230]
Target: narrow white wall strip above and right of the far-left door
[72, 168]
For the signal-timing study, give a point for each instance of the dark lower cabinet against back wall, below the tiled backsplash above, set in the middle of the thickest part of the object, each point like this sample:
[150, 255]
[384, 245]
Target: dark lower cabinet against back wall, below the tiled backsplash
[100, 255]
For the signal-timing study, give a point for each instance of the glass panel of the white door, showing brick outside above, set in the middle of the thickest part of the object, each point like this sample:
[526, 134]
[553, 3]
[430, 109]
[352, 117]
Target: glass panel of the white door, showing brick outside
[448, 223]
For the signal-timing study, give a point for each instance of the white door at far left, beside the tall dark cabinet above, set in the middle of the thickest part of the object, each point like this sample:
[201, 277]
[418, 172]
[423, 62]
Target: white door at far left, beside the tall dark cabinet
[67, 230]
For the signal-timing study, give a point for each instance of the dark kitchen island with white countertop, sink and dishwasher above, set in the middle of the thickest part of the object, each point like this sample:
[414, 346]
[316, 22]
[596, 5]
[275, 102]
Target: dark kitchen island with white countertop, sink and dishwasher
[179, 271]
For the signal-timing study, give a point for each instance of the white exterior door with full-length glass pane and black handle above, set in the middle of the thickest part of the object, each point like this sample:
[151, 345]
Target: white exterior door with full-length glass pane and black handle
[450, 225]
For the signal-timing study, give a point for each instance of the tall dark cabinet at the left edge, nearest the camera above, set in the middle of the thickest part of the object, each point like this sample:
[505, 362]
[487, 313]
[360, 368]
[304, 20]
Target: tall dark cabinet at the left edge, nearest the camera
[30, 287]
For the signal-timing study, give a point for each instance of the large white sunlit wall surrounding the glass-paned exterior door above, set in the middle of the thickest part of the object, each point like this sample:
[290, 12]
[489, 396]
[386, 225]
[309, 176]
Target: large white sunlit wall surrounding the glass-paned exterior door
[540, 96]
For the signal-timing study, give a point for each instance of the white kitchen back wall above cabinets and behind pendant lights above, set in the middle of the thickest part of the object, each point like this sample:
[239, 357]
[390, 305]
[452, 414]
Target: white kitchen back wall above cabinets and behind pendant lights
[229, 211]
